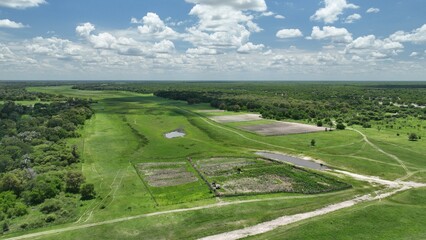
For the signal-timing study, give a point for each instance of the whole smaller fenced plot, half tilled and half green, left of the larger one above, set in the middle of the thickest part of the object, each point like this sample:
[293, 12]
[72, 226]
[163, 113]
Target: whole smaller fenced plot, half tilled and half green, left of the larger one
[172, 182]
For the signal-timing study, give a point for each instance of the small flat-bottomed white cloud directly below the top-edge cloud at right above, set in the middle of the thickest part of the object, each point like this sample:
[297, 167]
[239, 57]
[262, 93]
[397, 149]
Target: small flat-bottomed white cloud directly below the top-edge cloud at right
[339, 35]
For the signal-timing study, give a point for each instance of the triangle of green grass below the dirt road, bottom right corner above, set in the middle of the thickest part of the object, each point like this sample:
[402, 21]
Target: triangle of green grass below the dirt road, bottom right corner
[399, 217]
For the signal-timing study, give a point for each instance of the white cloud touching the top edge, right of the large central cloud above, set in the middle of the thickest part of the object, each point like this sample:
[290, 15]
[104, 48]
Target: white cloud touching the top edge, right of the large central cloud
[332, 10]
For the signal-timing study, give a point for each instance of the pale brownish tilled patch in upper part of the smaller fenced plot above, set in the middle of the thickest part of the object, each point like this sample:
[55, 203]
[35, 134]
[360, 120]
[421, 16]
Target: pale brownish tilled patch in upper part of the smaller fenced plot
[166, 174]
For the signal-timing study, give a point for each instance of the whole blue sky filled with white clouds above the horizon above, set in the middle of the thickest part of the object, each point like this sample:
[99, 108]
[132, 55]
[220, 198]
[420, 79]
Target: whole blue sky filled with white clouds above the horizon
[213, 40]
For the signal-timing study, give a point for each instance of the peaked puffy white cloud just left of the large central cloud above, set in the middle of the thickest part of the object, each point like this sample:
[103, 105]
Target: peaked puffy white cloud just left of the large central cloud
[153, 26]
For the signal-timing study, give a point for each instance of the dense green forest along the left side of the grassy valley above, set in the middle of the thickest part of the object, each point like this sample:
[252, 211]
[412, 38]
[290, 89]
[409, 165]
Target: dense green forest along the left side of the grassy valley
[40, 173]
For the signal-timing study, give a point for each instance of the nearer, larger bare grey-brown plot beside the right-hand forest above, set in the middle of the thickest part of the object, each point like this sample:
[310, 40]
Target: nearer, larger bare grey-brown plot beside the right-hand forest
[282, 128]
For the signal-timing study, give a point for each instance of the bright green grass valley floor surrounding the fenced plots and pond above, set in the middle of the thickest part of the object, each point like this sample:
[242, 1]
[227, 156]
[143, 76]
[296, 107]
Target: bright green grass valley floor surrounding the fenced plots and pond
[128, 130]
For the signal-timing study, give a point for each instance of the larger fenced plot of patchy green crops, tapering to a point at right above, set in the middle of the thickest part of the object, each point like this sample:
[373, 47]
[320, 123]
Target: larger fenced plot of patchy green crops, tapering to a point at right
[238, 176]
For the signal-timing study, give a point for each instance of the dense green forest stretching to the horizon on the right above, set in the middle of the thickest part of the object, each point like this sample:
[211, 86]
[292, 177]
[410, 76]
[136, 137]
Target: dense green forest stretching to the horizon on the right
[351, 103]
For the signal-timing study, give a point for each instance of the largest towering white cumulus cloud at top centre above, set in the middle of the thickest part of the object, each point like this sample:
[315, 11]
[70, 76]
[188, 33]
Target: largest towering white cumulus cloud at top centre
[224, 24]
